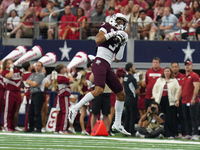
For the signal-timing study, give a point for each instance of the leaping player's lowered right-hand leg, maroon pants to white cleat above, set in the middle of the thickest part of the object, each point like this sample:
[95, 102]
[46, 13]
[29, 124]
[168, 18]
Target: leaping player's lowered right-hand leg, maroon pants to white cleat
[114, 84]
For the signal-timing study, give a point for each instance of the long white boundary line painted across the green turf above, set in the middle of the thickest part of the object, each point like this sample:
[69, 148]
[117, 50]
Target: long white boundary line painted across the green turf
[103, 138]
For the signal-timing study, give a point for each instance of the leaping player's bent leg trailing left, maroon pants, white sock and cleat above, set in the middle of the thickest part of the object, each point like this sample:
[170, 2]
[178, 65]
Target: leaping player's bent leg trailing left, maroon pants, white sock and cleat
[99, 69]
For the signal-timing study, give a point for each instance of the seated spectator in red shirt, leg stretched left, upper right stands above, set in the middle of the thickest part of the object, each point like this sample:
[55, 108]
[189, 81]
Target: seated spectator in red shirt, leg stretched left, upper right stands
[185, 18]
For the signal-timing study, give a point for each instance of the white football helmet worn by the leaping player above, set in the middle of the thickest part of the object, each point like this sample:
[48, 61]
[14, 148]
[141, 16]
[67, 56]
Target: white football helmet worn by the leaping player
[113, 21]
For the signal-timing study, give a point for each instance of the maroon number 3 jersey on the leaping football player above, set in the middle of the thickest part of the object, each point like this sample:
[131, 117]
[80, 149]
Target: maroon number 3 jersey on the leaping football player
[109, 44]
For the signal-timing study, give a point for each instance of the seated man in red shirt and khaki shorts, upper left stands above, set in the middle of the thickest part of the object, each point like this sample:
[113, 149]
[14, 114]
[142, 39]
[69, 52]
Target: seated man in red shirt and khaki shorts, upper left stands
[25, 28]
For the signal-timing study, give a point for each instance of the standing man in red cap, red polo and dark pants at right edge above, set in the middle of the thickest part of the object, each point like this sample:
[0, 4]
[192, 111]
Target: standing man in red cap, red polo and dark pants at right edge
[190, 101]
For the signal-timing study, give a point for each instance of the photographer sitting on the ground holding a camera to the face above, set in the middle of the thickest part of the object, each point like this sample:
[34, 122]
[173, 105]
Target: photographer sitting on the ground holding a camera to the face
[155, 120]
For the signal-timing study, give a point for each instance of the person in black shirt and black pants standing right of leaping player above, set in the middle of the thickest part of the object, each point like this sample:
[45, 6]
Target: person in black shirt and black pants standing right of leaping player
[131, 90]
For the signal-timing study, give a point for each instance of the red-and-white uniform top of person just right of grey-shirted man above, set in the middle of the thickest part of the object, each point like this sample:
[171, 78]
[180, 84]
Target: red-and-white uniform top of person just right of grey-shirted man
[63, 86]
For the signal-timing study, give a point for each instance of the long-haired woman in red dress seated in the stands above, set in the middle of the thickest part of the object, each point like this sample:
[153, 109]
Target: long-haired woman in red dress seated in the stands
[72, 31]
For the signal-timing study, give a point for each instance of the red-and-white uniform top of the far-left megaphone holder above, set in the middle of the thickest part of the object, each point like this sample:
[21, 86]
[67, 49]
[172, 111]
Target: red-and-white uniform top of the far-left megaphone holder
[12, 84]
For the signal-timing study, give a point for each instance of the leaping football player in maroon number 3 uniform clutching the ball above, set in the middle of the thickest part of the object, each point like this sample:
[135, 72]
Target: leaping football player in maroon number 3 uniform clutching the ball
[111, 41]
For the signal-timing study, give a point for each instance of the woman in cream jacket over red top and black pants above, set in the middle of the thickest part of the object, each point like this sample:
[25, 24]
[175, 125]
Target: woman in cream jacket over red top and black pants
[165, 92]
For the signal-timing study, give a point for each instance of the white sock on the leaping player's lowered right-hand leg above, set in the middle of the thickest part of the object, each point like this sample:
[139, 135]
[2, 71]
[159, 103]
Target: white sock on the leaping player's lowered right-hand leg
[119, 105]
